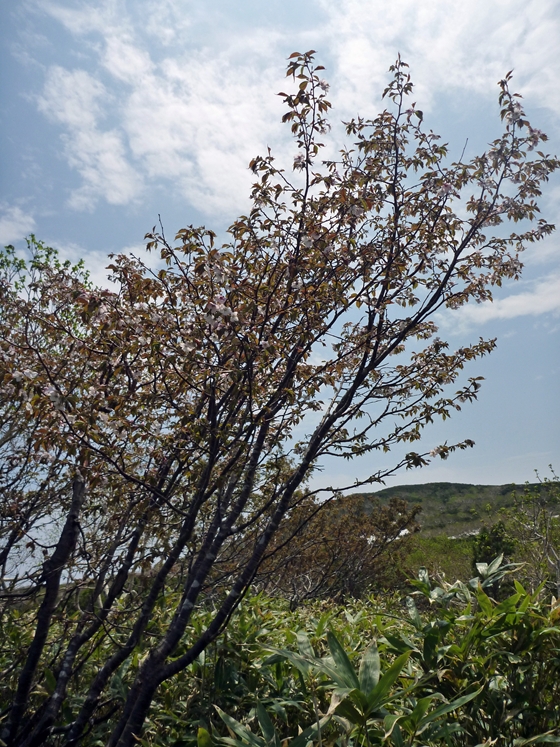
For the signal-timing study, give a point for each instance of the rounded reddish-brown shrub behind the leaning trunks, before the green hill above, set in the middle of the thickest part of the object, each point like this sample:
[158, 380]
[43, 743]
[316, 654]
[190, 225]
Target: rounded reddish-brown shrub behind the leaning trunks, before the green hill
[340, 550]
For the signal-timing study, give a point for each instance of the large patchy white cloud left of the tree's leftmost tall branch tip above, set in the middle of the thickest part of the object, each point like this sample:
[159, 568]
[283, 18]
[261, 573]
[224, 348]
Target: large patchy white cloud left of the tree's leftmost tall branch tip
[193, 120]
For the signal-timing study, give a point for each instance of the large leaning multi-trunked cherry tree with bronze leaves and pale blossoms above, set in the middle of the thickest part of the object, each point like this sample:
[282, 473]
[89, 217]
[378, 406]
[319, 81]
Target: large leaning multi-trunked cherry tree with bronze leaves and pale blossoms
[153, 433]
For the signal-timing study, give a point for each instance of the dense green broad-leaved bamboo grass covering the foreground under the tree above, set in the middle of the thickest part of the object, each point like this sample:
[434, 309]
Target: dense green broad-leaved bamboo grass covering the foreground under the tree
[447, 665]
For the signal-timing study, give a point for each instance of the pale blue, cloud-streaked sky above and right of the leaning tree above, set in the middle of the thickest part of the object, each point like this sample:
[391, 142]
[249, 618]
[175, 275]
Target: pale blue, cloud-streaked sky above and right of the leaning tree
[115, 112]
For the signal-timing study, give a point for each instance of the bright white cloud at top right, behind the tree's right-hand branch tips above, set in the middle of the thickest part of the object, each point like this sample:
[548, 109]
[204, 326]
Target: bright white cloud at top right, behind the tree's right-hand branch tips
[467, 46]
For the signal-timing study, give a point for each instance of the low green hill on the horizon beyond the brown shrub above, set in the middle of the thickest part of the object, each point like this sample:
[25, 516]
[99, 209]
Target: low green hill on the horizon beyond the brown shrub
[453, 508]
